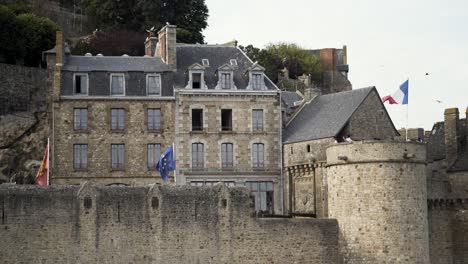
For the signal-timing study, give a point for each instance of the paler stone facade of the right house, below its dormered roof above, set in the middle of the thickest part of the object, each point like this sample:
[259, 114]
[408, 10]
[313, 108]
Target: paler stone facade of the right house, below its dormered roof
[242, 136]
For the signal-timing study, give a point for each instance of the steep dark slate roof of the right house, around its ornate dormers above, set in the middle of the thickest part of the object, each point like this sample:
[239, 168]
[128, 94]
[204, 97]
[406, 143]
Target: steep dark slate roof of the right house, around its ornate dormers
[217, 55]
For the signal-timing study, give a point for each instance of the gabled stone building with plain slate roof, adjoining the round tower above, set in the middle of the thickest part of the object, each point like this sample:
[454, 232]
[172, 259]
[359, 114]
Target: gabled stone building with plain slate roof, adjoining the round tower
[321, 121]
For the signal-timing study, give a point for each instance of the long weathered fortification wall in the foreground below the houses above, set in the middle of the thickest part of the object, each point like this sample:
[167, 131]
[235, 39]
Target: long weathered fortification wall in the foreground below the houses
[160, 224]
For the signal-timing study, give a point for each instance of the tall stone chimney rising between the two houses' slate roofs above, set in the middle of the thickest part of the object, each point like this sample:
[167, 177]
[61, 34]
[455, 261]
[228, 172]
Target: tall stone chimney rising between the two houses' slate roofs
[166, 48]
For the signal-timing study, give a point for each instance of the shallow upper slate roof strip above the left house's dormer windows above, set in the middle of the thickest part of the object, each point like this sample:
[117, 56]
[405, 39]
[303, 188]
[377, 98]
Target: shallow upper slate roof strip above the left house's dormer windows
[114, 64]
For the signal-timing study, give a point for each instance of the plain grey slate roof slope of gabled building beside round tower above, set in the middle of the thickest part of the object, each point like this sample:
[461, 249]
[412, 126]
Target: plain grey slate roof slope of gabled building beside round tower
[325, 116]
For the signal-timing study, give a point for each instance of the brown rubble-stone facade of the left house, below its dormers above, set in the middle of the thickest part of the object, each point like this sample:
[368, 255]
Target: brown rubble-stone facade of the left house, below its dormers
[99, 137]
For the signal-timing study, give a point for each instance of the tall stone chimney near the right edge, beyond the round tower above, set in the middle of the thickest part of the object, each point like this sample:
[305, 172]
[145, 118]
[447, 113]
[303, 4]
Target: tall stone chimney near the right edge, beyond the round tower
[452, 142]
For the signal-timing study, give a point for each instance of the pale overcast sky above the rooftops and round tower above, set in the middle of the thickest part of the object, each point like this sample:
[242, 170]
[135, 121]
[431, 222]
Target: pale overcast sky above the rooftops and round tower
[388, 42]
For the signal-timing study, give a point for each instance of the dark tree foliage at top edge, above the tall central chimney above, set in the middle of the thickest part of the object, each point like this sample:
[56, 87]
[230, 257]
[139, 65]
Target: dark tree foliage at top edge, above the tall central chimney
[137, 15]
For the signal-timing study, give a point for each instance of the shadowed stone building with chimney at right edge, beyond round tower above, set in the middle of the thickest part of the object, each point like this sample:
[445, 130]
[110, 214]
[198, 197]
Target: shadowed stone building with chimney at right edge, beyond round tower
[447, 182]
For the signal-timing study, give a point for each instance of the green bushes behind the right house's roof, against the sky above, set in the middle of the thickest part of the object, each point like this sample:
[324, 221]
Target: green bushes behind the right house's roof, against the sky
[277, 56]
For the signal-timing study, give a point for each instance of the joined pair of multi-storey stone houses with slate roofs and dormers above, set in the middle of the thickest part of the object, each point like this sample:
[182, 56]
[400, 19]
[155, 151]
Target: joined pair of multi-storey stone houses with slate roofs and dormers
[114, 115]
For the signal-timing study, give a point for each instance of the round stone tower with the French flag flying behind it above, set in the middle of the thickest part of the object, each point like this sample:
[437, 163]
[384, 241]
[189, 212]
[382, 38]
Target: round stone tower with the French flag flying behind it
[377, 192]
